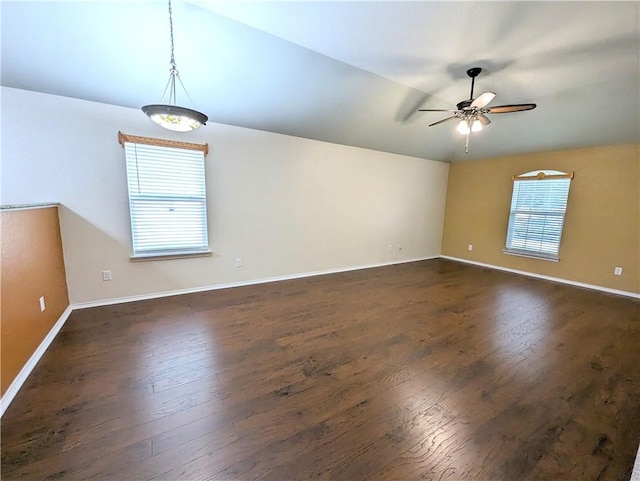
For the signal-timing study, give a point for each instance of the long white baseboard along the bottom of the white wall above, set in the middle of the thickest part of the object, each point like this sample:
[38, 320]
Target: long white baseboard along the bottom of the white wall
[264, 280]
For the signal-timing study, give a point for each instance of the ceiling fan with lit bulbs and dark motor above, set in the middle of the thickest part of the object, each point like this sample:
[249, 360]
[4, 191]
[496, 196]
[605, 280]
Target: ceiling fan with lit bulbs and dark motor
[472, 112]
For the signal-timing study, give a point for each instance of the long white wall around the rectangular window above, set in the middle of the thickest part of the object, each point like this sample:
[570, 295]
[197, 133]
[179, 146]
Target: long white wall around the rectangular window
[285, 205]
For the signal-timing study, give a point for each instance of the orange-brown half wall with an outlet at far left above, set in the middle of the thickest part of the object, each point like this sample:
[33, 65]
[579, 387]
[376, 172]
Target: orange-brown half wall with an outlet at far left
[32, 266]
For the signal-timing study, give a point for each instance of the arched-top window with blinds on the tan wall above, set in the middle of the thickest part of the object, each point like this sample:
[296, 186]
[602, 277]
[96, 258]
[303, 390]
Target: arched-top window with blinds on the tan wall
[536, 218]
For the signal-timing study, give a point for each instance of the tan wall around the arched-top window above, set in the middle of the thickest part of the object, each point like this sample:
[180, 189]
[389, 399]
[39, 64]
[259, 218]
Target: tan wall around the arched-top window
[602, 223]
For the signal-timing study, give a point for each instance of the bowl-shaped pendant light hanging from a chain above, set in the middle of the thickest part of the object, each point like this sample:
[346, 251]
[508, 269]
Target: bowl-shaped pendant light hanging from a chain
[170, 116]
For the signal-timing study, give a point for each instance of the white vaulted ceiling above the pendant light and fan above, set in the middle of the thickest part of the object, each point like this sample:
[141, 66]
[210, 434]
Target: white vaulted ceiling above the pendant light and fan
[349, 72]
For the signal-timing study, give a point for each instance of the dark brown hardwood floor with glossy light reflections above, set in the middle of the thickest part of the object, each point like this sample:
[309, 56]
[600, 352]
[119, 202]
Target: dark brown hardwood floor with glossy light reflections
[429, 370]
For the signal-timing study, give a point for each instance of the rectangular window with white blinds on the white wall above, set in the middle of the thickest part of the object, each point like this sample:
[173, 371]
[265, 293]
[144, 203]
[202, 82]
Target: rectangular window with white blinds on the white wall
[167, 196]
